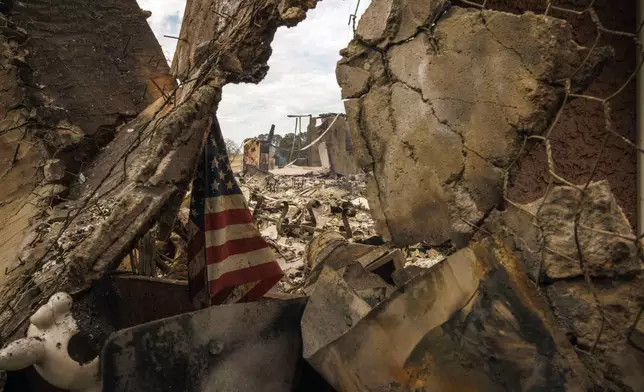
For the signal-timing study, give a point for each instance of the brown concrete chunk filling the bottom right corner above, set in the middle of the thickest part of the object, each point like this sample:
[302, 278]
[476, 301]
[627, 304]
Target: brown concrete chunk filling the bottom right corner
[615, 361]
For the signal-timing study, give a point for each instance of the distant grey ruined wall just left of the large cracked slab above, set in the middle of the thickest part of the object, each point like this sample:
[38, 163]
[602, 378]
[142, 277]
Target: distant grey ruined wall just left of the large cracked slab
[334, 149]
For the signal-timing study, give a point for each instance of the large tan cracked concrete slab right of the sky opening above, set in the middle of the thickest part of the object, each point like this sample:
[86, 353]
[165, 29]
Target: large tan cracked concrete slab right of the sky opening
[438, 99]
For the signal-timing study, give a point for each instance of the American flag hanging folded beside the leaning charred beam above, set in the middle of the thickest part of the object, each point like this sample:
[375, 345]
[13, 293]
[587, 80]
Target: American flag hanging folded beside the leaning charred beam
[228, 260]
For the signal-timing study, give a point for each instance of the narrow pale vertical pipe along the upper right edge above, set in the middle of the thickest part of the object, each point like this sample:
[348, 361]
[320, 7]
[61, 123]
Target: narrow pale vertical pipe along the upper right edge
[640, 129]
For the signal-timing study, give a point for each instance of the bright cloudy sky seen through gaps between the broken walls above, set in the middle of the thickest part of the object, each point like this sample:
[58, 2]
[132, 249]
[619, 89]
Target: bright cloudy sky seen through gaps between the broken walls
[301, 79]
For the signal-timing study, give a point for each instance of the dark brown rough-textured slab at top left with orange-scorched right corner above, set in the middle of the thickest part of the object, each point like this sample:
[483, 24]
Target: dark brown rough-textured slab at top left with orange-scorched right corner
[125, 63]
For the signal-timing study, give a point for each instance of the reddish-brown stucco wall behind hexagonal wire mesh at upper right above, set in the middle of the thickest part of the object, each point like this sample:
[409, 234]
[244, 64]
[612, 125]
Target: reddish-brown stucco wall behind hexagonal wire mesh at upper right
[577, 139]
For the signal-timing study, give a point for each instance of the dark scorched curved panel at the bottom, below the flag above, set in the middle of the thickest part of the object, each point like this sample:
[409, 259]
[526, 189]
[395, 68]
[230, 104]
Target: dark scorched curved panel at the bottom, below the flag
[250, 347]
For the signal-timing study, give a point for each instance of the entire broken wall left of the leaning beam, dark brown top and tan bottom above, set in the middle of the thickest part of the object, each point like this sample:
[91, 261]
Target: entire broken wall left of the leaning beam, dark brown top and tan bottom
[68, 79]
